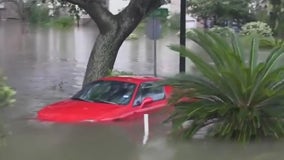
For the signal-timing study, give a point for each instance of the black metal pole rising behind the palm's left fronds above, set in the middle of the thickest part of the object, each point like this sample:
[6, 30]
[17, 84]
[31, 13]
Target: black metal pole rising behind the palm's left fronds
[182, 33]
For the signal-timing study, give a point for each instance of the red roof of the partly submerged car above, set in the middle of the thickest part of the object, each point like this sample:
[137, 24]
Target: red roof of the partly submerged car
[132, 78]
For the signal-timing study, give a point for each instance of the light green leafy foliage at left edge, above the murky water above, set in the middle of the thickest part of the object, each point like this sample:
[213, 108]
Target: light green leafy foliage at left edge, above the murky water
[6, 94]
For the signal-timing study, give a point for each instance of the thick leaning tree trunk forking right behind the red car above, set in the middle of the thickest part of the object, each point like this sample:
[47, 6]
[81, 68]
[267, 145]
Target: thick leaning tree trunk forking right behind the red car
[114, 29]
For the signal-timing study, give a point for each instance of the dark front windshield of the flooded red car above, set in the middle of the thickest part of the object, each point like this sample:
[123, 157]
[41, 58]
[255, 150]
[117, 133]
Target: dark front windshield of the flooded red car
[112, 92]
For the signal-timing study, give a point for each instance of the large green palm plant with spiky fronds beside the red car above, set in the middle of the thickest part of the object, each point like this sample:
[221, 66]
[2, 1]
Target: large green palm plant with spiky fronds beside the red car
[240, 98]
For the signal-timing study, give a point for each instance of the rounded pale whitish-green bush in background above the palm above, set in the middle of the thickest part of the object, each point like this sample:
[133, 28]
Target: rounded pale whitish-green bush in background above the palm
[256, 28]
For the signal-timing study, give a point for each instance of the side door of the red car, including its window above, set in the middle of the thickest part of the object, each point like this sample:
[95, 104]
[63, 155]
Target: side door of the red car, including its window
[153, 91]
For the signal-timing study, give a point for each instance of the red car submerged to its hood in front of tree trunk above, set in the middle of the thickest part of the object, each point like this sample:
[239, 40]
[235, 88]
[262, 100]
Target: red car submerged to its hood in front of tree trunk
[108, 99]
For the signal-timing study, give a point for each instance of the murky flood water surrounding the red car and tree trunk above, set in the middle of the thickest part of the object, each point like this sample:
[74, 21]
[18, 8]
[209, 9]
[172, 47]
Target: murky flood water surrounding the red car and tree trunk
[45, 65]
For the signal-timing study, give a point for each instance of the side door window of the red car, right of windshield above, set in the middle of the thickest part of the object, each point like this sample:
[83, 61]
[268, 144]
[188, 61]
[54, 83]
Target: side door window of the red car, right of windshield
[152, 90]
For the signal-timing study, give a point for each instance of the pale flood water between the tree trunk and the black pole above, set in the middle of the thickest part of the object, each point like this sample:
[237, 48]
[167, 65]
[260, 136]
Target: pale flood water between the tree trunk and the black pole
[138, 56]
